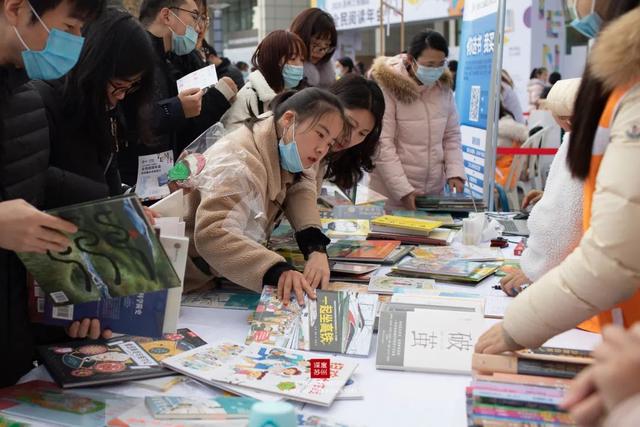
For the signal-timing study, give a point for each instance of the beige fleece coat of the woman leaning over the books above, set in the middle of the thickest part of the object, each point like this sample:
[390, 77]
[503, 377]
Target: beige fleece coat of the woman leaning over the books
[230, 218]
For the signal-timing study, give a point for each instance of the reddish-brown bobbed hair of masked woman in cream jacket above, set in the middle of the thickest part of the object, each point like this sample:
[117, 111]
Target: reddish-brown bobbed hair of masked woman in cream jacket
[273, 52]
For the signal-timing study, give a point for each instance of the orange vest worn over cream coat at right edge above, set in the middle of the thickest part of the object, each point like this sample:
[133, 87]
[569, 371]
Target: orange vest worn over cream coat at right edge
[628, 312]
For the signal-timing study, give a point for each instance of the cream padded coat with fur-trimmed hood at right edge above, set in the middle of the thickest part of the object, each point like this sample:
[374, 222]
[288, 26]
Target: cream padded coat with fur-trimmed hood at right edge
[604, 269]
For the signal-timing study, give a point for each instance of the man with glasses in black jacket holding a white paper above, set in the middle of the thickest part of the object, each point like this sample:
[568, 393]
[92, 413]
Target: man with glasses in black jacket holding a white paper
[171, 26]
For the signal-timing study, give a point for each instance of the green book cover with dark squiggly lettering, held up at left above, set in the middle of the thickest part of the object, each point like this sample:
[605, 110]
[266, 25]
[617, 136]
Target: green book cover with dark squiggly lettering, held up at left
[115, 253]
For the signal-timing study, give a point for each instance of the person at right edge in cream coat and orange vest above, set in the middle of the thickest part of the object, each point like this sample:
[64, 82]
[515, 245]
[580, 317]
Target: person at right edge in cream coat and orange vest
[604, 270]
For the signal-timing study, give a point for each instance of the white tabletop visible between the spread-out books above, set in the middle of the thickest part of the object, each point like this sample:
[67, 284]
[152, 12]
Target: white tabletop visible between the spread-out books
[392, 398]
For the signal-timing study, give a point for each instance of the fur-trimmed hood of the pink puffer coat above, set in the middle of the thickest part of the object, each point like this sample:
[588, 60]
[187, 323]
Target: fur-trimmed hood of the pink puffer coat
[392, 74]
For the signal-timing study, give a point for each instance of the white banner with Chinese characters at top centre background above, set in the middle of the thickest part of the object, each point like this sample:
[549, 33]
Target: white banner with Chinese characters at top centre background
[352, 14]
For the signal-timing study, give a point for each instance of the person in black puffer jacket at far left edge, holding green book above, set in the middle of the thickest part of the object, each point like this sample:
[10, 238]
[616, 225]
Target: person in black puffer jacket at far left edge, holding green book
[24, 154]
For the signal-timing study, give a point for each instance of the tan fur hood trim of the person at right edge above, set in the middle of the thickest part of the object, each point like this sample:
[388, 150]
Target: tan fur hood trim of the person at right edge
[615, 59]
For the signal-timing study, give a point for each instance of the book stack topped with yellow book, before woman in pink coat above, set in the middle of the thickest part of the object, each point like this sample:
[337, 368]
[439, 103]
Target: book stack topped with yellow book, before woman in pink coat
[409, 230]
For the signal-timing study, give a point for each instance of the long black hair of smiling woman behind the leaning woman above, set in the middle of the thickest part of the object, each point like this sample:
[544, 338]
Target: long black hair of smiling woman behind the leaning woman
[346, 167]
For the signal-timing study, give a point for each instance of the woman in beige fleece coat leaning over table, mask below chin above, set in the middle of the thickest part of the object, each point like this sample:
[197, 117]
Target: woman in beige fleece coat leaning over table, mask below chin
[253, 176]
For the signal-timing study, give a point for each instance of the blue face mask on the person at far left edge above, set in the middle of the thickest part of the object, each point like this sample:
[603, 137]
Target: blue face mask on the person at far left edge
[59, 56]
